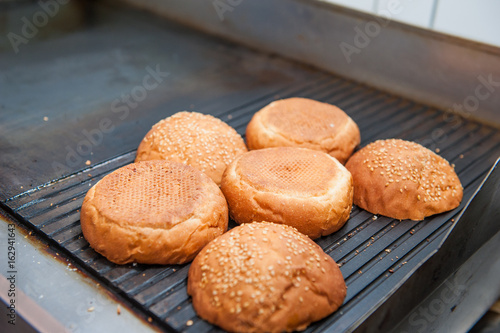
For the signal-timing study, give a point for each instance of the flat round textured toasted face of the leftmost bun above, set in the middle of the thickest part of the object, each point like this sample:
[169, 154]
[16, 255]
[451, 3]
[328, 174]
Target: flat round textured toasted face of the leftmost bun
[152, 194]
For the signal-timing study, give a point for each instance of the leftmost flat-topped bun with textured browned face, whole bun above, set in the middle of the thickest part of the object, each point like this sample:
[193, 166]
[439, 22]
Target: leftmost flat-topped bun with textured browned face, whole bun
[153, 212]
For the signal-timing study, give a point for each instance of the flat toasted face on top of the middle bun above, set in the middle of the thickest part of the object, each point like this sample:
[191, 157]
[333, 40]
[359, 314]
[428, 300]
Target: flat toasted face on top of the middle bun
[287, 170]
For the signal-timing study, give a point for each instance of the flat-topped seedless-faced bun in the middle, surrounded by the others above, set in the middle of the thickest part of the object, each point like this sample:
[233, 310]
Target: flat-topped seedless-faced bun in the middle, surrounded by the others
[304, 188]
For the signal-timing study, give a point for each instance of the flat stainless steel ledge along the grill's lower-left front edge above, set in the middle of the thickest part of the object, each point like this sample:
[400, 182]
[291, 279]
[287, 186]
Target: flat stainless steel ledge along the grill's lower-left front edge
[74, 300]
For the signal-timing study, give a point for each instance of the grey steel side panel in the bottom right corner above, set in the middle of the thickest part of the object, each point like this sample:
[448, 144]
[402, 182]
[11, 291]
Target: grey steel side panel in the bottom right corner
[462, 298]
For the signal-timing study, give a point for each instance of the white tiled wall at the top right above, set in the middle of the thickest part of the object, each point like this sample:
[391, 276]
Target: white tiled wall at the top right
[473, 19]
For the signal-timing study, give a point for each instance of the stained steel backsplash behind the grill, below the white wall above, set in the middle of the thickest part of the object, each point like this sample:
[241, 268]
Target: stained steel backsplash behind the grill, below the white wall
[444, 71]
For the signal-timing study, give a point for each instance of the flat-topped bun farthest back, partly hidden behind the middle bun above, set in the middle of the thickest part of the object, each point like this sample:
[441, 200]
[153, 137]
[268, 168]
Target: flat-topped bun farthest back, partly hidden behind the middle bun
[302, 122]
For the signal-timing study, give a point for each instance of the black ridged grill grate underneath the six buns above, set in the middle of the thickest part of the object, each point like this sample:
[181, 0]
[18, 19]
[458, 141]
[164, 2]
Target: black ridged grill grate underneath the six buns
[375, 254]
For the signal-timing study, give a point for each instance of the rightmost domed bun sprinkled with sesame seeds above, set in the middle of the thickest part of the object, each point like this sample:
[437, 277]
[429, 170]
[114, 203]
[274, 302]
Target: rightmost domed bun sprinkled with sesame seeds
[403, 180]
